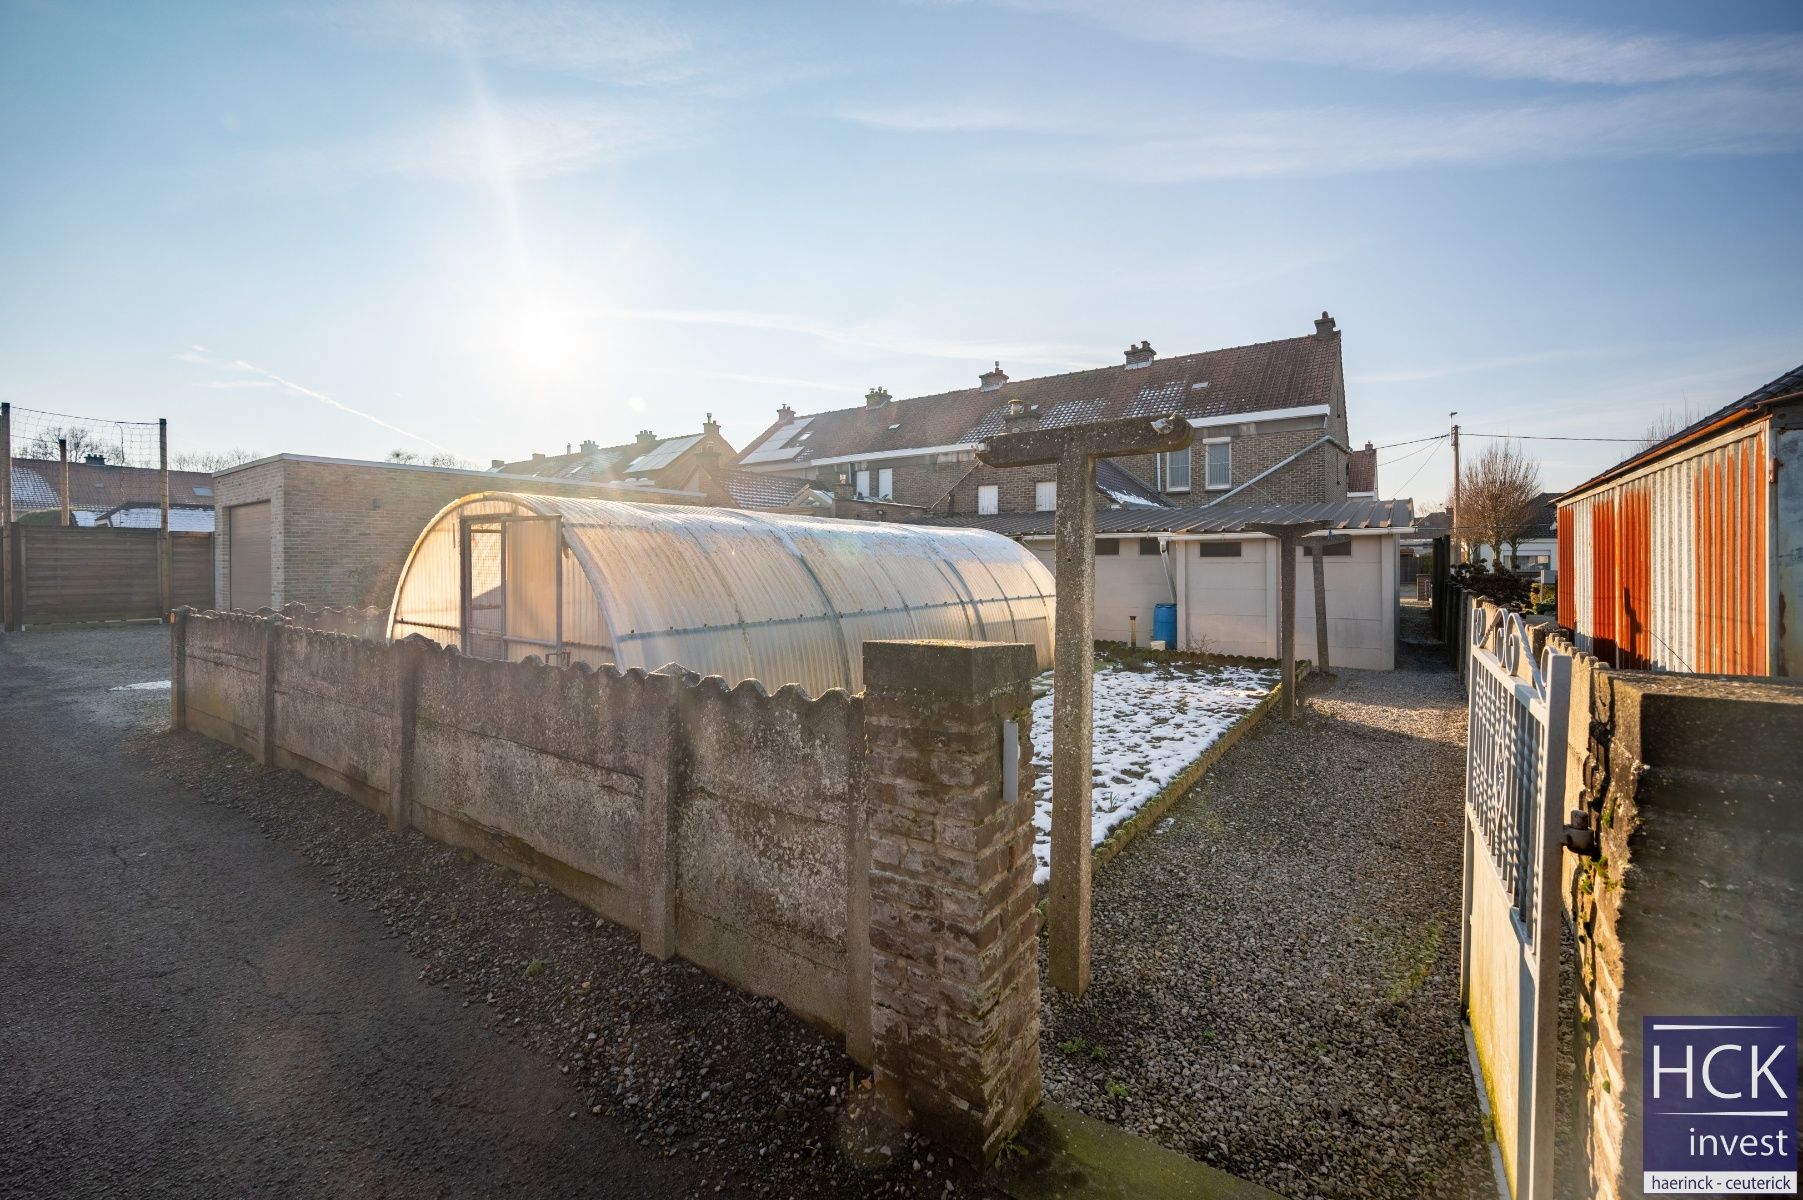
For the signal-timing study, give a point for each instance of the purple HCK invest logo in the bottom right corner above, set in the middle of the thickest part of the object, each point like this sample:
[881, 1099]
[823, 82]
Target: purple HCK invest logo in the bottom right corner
[1721, 1111]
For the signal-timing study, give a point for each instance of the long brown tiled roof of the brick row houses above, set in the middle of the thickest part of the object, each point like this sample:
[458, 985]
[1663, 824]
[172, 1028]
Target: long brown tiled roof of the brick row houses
[1218, 383]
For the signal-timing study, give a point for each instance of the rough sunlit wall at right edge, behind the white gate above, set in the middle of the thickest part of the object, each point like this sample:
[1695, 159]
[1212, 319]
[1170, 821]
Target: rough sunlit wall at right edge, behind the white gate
[1692, 904]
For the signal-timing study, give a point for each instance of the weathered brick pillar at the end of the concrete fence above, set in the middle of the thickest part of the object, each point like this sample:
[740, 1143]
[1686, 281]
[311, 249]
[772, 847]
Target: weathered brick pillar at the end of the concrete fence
[955, 956]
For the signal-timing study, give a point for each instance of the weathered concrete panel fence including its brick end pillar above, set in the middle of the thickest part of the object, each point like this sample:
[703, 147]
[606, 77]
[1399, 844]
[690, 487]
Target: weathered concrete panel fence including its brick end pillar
[767, 839]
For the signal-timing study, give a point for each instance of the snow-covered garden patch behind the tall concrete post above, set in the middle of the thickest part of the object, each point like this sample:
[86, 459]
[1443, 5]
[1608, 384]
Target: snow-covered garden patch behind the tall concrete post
[1149, 727]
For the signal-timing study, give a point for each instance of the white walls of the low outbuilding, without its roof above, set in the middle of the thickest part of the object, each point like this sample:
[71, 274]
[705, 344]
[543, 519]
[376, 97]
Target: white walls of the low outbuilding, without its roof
[1229, 606]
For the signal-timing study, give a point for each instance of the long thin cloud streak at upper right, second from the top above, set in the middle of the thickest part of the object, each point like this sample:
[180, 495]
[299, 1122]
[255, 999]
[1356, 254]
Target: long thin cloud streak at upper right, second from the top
[1679, 122]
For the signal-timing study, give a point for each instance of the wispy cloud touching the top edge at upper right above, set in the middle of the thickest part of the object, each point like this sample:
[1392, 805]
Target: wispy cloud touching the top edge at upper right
[1458, 42]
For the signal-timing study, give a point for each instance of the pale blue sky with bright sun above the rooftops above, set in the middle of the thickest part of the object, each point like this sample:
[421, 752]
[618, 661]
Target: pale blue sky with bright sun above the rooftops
[495, 228]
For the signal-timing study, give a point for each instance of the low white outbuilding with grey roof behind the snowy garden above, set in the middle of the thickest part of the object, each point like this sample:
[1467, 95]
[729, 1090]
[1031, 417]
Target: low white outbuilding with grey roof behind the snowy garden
[1222, 577]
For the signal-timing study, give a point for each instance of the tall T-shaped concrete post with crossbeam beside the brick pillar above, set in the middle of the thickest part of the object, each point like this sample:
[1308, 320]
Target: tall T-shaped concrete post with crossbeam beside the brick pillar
[1075, 451]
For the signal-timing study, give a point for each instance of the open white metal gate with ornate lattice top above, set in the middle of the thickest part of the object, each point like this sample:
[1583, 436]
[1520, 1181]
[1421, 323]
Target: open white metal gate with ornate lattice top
[1510, 949]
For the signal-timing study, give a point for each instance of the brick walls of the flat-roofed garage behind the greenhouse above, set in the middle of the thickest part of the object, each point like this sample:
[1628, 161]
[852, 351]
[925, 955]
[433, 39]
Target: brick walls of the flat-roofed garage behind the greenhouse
[342, 531]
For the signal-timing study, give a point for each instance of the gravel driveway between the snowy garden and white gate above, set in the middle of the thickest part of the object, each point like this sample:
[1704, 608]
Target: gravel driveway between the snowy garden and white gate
[1277, 965]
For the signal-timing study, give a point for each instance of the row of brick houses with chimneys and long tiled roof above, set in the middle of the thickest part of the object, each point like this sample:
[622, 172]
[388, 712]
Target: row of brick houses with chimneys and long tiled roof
[1270, 419]
